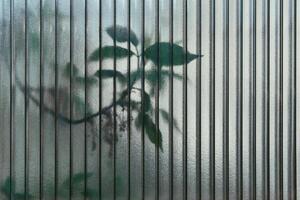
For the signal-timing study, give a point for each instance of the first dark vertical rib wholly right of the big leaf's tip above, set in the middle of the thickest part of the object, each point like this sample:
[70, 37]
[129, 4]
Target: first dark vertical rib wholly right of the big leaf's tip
[212, 101]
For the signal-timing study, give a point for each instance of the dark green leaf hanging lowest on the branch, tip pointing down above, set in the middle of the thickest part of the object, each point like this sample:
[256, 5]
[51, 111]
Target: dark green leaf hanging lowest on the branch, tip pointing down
[154, 135]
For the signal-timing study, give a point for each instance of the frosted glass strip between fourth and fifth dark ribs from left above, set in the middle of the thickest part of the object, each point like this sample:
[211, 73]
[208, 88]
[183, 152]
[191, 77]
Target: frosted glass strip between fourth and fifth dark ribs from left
[63, 96]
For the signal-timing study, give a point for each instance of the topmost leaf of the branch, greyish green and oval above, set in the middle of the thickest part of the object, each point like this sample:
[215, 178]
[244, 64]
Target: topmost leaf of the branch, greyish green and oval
[122, 34]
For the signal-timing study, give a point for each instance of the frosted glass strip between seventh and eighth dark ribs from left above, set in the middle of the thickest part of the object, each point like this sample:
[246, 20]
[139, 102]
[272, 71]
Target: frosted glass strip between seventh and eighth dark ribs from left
[107, 98]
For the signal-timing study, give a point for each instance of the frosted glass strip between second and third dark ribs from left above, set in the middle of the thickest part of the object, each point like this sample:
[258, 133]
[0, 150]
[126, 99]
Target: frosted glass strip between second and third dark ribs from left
[33, 111]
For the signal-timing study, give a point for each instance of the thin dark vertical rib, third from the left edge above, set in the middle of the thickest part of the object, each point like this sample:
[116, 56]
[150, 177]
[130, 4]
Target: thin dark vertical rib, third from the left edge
[41, 101]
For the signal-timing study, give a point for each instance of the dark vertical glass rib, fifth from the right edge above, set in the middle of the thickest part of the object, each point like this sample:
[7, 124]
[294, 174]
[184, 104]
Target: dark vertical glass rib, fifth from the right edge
[240, 103]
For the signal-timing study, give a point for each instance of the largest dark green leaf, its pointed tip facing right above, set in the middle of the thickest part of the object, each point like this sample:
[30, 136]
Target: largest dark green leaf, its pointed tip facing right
[164, 49]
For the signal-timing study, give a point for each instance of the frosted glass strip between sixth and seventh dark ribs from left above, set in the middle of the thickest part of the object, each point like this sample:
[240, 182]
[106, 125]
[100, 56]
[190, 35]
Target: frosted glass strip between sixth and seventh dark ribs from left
[92, 104]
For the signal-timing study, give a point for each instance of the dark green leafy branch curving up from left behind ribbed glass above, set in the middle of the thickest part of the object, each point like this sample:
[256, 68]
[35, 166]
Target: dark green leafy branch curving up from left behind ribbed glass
[157, 64]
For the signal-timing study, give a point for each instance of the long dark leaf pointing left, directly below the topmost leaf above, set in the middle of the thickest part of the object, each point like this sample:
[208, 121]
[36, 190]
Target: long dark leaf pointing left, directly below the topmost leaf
[109, 52]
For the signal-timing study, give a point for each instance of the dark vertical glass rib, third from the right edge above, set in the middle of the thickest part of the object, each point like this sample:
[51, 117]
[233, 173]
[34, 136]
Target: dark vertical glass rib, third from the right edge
[266, 102]
